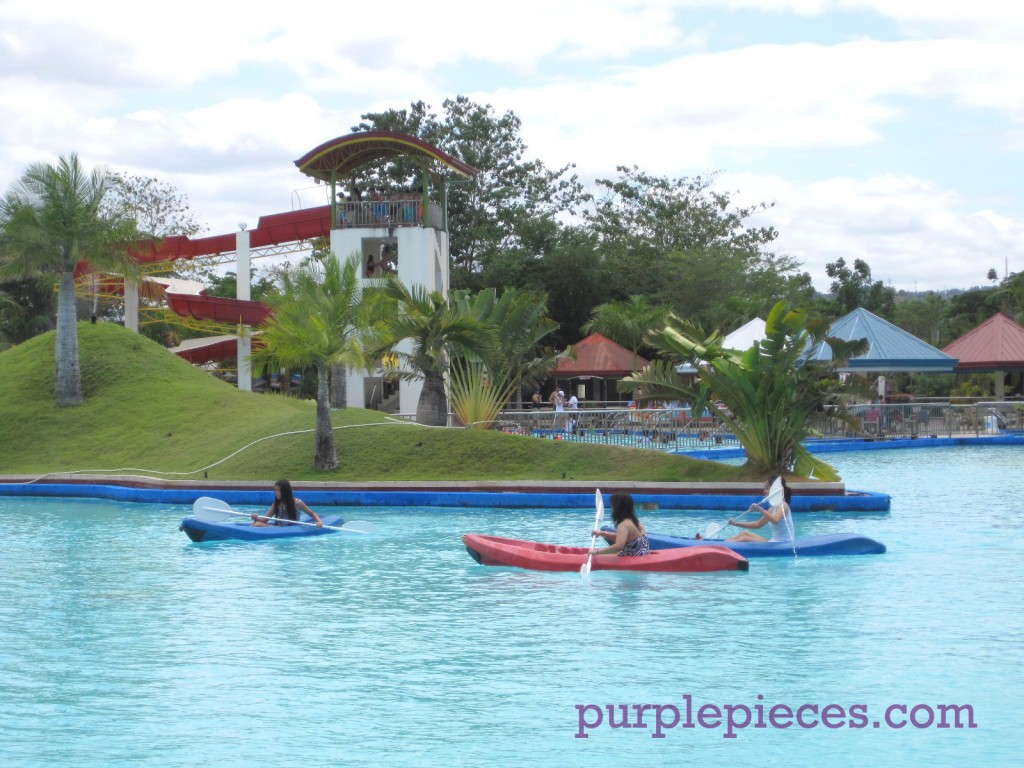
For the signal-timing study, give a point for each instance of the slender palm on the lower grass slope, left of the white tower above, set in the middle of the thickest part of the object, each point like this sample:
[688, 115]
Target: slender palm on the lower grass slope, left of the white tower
[316, 323]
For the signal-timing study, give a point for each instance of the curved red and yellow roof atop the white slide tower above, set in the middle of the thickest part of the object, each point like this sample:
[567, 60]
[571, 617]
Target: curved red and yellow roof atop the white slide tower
[345, 156]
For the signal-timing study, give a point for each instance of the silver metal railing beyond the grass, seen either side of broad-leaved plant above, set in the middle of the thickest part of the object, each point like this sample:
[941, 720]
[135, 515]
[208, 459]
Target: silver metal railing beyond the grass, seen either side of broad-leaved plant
[679, 430]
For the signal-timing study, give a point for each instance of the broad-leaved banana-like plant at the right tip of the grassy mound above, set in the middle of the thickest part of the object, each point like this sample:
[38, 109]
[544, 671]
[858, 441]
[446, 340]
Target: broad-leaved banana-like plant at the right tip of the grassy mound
[765, 395]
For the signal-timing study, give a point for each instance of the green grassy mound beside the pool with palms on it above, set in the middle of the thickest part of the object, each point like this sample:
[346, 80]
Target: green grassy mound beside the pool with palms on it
[149, 411]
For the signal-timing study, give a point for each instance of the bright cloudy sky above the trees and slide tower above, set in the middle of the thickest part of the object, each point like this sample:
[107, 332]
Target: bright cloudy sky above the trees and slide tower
[889, 131]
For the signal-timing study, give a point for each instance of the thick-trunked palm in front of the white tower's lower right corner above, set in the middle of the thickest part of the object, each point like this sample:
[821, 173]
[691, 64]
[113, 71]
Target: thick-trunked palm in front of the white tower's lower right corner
[434, 331]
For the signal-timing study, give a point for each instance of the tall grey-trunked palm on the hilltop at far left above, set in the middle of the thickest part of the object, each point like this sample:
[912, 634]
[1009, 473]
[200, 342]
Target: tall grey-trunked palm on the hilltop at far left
[52, 221]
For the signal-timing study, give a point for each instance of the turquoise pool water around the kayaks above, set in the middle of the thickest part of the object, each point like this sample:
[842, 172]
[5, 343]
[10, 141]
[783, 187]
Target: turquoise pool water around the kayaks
[122, 645]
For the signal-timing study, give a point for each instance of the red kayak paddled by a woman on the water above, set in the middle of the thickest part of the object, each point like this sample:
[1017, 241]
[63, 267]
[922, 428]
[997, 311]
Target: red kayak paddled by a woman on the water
[493, 550]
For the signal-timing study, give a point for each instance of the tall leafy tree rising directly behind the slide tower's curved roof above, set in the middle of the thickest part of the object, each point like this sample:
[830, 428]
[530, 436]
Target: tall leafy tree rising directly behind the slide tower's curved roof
[511, 206]
